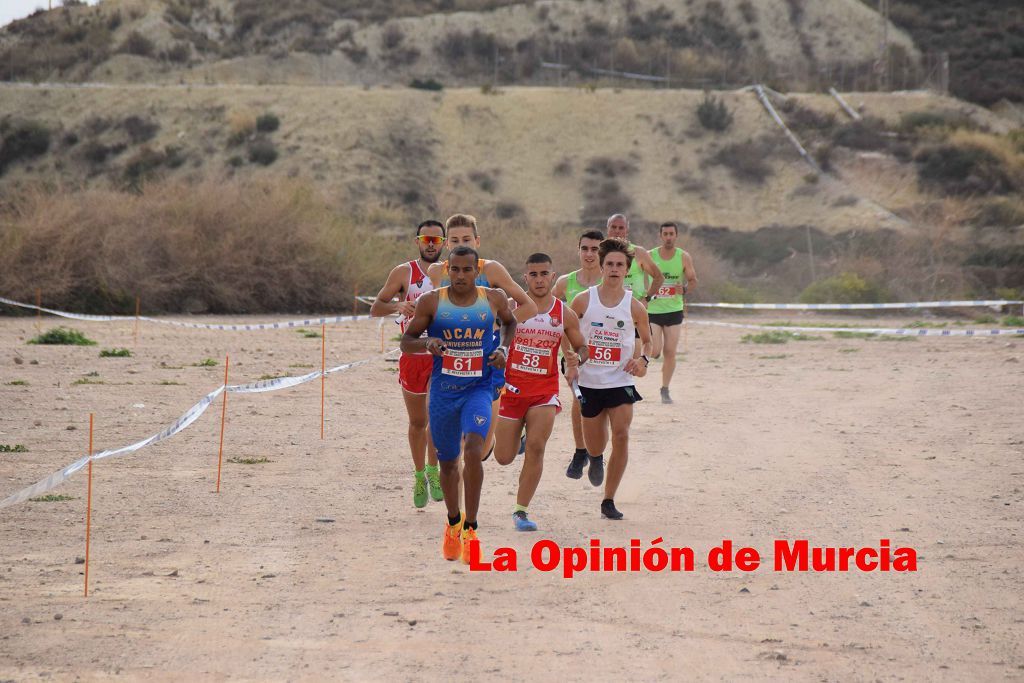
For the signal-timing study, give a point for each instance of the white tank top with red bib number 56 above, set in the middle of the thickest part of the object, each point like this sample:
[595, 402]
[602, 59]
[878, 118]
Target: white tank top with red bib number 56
[609, 333]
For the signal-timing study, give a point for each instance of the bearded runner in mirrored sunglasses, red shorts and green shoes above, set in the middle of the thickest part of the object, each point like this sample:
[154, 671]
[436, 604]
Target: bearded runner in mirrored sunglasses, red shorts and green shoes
[408, 282]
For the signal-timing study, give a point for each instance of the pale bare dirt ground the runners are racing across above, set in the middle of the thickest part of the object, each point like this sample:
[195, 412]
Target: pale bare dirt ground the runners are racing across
[841, 442]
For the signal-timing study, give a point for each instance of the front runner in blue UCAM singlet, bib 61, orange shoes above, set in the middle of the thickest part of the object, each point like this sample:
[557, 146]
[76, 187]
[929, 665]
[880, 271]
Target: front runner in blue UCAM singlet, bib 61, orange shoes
[459, 321]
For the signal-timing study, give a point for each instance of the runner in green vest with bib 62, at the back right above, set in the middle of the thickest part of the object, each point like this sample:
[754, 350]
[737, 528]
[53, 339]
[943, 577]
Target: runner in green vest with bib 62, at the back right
[666, 312]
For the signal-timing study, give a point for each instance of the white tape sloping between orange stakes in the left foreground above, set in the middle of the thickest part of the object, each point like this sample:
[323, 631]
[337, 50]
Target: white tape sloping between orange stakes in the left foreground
[181, 424]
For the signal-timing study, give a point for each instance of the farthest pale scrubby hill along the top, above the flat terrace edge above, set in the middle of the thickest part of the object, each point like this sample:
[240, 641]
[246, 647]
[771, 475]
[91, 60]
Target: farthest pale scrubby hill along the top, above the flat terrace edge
[792, 44]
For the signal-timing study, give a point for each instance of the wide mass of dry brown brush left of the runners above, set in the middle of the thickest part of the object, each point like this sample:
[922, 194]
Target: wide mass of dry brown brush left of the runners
[218, 246]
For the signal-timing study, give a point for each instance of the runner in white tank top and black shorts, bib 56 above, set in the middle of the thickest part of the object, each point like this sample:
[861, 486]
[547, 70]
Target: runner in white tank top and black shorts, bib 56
[608, 316]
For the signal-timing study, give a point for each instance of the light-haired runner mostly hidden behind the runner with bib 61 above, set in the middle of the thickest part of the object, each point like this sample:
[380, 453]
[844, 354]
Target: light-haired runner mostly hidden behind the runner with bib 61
[461, 231]
